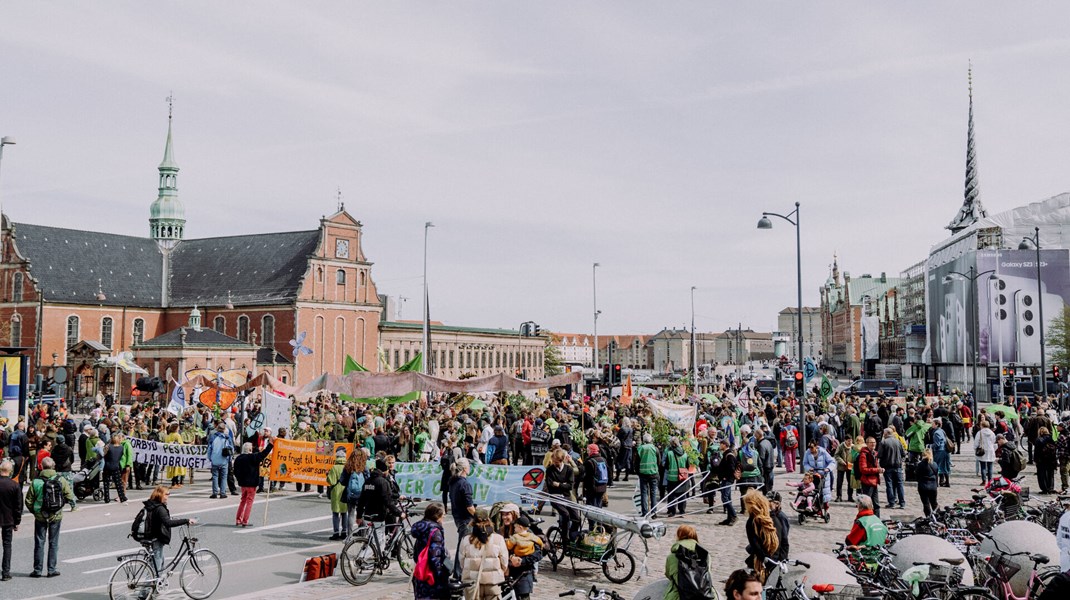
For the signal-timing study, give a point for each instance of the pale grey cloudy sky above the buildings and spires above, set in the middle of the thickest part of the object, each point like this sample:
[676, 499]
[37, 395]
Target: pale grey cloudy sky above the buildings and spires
[543, 137]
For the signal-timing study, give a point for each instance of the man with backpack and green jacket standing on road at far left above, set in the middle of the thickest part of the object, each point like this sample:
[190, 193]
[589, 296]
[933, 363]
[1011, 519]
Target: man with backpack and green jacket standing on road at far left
[45, 500]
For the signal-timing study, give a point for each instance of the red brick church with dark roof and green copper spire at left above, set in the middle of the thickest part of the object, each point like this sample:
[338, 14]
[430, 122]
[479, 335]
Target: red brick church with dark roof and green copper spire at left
[75, 299]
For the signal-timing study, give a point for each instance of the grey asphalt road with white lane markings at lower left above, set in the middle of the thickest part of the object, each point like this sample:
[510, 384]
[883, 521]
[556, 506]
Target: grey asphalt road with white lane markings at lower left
[284, 531]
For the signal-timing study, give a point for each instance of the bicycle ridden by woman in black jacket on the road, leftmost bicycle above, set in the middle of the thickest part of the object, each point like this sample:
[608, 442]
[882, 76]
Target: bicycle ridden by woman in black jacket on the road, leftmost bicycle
[136, 577]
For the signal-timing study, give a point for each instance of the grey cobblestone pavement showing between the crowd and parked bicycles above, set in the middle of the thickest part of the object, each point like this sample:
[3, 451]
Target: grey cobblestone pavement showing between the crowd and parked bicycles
[725, 544]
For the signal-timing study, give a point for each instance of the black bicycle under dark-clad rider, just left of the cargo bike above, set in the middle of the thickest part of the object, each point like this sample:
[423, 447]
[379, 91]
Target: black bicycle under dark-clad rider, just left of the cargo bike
[363, 556]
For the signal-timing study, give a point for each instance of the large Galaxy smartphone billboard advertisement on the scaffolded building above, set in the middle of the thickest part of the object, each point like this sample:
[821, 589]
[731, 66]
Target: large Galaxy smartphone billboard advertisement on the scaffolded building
[1007, 300]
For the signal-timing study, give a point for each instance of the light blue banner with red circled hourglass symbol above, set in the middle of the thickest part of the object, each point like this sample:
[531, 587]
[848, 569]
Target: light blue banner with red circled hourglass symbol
[491, 483]
